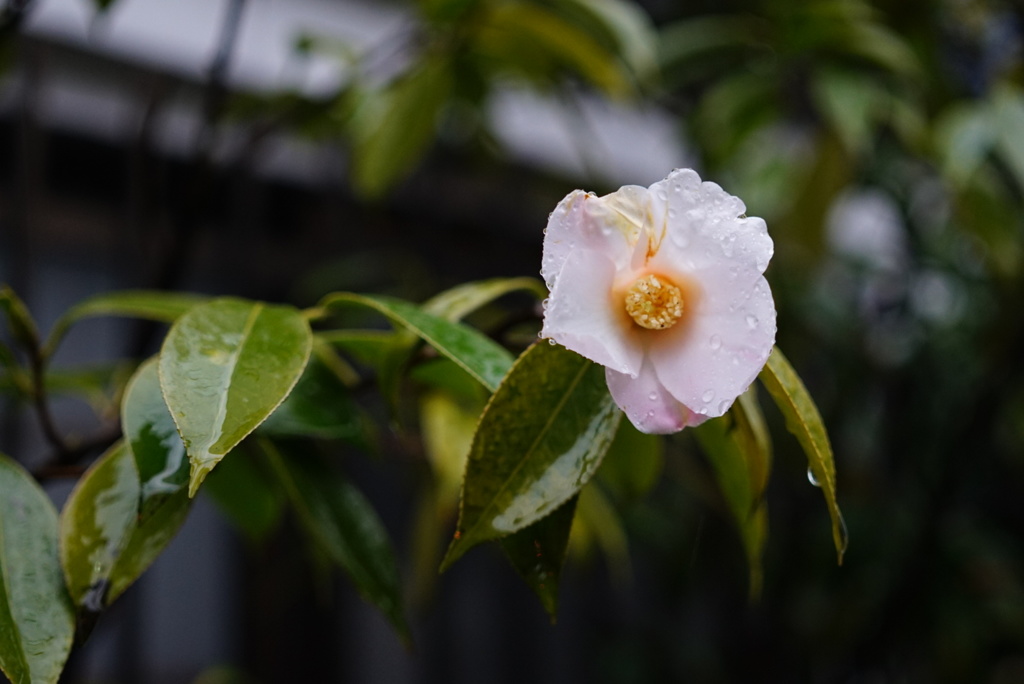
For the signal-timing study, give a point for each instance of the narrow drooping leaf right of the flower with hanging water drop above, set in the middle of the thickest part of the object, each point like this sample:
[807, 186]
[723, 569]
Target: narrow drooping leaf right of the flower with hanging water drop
[804, 421]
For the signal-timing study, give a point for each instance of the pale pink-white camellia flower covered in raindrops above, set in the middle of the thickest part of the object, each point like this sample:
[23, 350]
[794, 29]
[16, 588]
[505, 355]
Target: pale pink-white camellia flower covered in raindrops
[665, 287]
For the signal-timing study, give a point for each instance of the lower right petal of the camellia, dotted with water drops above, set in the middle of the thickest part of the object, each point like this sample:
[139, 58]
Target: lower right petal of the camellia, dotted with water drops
[714, 358]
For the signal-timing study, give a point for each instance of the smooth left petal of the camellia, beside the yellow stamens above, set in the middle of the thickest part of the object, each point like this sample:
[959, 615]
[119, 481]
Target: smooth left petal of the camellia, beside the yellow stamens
[582, 316]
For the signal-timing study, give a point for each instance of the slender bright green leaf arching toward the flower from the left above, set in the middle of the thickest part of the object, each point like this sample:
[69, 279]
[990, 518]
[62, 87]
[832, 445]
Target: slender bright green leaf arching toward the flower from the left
[478, 355]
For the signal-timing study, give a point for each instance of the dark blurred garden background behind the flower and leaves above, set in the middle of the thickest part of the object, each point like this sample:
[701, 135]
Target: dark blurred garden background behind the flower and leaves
[281, 150]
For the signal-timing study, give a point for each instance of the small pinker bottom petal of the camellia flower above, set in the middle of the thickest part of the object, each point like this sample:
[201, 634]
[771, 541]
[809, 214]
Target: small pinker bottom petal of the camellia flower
[648, 404]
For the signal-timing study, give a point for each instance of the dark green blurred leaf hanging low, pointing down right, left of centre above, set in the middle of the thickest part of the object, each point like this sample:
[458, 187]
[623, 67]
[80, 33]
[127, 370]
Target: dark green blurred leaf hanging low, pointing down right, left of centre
[343, 523]
